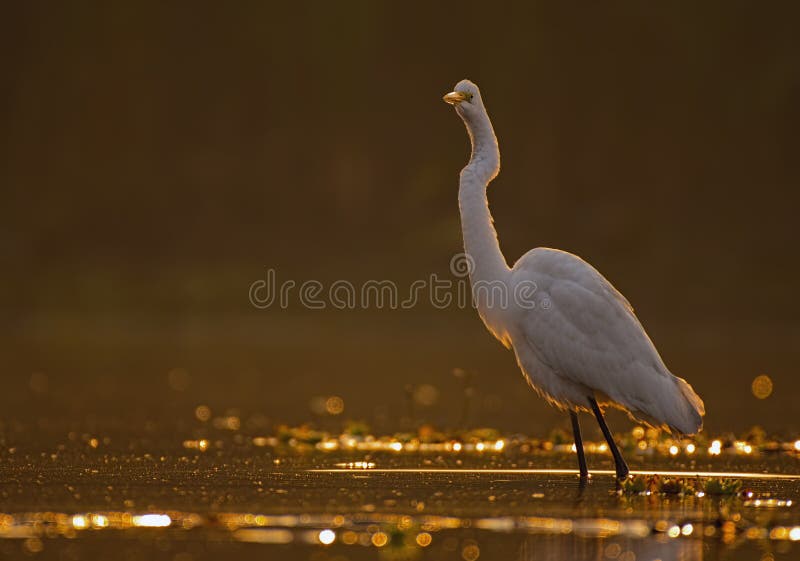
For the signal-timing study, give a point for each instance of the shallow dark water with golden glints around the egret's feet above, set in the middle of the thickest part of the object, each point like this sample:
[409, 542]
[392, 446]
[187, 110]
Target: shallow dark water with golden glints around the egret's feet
[79, 498]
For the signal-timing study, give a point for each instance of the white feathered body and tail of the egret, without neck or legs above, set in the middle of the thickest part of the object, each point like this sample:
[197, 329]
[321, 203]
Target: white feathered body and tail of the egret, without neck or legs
[583, 338]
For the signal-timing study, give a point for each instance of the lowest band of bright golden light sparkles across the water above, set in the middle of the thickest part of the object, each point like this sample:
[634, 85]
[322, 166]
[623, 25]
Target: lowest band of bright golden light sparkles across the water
[379, 529]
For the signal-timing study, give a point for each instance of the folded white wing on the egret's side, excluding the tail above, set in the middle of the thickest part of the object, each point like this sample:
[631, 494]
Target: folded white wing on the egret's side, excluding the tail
[585, 330]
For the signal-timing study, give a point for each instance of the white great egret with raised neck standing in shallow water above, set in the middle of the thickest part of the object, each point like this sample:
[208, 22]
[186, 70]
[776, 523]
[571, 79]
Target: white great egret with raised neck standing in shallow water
[575, 337]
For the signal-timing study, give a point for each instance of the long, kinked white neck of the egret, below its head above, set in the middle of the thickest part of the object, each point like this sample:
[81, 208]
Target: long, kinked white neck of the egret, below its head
[480, 237]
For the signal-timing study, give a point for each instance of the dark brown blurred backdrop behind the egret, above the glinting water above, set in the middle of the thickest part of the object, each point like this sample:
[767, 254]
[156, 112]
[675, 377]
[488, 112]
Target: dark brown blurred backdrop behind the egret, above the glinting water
[158, 158]
